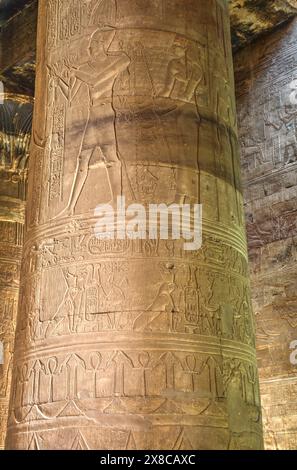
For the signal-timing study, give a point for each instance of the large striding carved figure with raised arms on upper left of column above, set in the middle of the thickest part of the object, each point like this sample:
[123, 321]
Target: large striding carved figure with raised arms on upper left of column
[99, 74]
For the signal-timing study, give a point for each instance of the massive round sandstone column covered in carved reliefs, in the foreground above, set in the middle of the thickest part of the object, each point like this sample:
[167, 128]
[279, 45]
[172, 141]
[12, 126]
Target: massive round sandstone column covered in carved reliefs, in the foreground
[137, 344]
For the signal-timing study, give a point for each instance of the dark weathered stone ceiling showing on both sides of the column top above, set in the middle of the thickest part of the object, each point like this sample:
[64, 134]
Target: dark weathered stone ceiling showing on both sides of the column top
[249, 19]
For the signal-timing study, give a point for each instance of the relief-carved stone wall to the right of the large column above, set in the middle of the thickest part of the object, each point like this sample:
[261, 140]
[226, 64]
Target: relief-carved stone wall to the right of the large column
[266, 85]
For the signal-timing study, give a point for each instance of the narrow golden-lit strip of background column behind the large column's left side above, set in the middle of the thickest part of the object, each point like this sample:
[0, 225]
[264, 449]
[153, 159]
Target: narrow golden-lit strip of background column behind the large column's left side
[15, 129]
